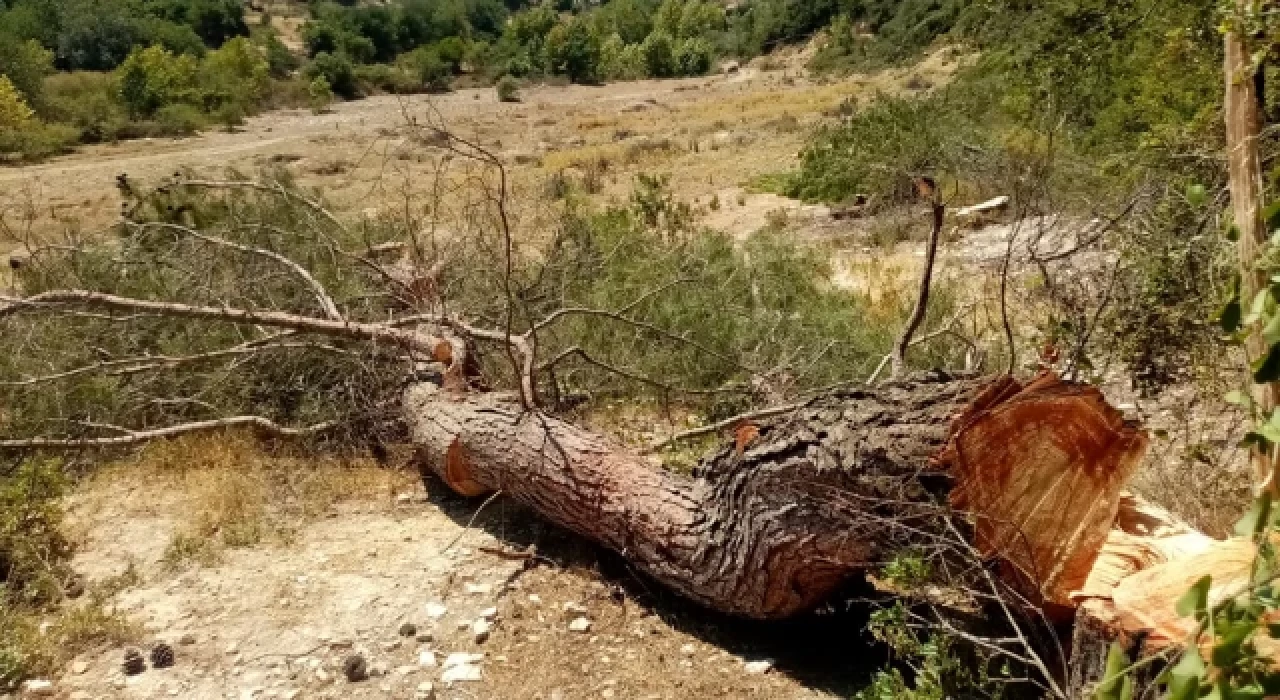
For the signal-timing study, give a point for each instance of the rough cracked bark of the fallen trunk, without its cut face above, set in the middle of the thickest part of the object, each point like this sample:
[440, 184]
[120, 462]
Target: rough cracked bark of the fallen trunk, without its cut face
[766, 528]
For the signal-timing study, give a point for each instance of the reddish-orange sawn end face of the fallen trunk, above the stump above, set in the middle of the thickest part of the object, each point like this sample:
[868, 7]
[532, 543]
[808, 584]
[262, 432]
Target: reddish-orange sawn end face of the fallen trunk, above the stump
[1041, 469]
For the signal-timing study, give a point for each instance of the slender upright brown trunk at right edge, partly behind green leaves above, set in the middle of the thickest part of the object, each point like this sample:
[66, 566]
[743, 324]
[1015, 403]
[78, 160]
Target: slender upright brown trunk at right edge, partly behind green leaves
[1245, 170]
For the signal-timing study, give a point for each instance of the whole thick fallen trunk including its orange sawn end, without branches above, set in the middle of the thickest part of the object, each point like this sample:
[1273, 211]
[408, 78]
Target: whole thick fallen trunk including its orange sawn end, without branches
[774, 523]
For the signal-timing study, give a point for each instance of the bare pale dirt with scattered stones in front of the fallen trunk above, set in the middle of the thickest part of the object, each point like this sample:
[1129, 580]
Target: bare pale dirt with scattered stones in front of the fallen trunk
[280, 619]
